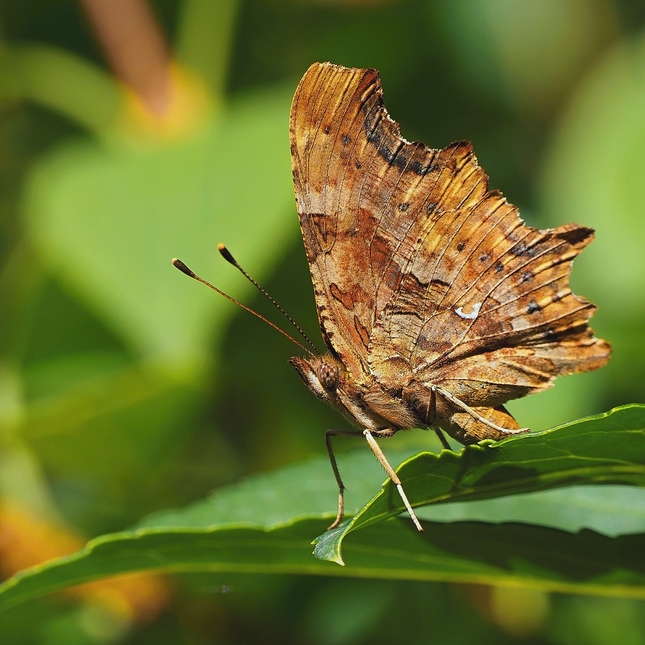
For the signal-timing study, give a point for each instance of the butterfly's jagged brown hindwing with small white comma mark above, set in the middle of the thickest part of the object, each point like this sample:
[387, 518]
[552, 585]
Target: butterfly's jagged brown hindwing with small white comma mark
[482, 304]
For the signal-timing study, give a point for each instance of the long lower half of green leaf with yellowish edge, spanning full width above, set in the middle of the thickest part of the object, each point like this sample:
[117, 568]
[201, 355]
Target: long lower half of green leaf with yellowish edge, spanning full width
[586, 562]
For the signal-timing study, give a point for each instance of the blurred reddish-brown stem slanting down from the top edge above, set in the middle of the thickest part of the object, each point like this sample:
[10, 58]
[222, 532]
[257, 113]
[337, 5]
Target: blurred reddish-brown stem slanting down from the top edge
[135, 48]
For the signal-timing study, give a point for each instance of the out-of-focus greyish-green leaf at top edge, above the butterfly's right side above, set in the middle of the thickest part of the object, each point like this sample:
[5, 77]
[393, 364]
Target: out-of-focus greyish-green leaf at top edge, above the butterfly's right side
[523, 53]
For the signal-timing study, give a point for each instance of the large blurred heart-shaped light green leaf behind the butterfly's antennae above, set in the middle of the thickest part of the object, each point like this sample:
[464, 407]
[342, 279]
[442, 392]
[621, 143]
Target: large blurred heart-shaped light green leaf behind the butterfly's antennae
[108, 221]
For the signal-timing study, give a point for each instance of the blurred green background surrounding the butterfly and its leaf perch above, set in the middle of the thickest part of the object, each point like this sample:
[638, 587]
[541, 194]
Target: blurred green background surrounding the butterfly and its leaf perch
[127, 138]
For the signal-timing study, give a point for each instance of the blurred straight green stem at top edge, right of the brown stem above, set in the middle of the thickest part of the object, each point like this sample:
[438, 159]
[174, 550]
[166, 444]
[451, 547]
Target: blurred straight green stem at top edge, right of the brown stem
[206, 32]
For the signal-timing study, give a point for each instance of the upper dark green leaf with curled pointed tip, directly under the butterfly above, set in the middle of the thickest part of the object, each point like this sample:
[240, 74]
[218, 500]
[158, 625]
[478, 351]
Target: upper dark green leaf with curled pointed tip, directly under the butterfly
[606, 449]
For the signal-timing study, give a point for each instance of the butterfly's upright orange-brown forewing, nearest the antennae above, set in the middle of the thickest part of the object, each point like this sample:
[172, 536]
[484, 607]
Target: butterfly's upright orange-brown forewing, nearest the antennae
[357, 185]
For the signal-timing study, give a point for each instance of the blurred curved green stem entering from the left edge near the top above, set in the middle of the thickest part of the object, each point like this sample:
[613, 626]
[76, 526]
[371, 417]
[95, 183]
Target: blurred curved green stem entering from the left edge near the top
[62, 82]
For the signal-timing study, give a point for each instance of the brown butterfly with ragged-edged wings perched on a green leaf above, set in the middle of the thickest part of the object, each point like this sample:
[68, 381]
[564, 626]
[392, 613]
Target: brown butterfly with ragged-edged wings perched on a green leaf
[437, 303]
